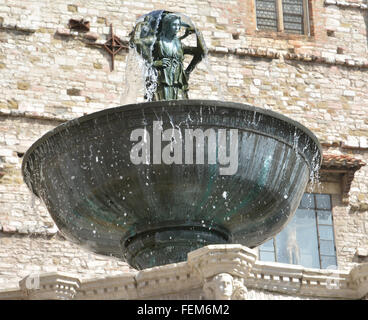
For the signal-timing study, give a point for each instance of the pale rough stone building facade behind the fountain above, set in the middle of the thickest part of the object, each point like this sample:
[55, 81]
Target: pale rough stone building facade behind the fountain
[51, 72]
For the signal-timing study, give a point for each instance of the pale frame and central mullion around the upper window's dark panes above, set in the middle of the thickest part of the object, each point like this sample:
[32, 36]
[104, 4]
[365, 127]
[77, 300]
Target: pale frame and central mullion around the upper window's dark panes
[280, 19]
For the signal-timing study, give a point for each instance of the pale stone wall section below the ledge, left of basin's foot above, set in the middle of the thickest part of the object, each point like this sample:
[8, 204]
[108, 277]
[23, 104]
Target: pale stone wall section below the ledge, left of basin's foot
[25, 254]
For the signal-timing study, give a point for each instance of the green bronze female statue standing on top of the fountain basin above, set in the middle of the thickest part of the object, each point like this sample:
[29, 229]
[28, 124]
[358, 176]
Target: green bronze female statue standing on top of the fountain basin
[156, 38]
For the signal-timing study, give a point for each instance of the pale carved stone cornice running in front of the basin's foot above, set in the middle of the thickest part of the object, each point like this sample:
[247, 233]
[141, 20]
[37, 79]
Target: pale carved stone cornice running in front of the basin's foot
[190, 276]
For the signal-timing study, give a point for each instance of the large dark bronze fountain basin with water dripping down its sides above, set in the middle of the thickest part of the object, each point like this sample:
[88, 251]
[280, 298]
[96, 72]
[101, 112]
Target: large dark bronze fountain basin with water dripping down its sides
[154, 214]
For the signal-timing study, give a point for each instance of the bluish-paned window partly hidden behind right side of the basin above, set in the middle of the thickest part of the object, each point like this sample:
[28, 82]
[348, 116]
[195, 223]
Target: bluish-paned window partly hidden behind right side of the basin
[308, 239]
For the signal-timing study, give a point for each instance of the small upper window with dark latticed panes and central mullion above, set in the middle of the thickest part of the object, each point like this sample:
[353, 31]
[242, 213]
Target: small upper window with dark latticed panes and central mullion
[288, 16]
